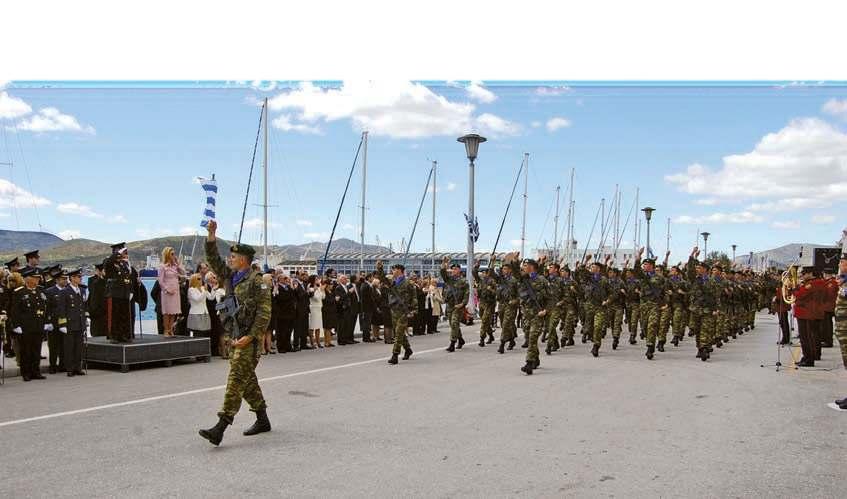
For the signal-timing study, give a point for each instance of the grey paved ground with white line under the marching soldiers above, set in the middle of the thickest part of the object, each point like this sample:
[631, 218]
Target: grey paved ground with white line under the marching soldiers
[441, 425]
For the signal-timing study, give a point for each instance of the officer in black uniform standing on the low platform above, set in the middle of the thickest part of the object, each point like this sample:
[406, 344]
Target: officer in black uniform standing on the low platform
[119, 294]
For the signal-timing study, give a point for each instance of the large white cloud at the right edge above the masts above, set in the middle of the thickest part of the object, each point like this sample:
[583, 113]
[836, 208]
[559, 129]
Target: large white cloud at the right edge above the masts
[806, 162]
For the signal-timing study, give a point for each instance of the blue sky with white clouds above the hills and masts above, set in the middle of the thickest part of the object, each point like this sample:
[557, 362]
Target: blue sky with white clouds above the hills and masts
[758, 164]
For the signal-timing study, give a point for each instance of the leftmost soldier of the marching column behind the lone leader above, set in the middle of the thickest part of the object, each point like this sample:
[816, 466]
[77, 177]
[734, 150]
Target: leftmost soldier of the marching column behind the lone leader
[403, 302]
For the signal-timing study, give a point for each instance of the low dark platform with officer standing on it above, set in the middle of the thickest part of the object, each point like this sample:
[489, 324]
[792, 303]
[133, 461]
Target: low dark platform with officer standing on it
[149, 348]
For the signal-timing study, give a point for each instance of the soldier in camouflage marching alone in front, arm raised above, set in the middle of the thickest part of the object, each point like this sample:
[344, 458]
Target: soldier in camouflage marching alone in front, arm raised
[247, 328]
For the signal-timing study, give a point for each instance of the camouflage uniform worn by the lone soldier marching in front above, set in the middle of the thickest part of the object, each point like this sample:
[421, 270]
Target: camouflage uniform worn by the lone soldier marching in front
[253, 317]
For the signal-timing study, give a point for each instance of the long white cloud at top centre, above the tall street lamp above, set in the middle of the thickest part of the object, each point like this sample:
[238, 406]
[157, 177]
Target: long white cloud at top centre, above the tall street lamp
[395, 109]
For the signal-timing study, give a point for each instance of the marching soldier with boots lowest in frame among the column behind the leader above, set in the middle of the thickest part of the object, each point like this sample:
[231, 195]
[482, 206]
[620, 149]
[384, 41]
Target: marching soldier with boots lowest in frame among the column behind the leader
[534, 296]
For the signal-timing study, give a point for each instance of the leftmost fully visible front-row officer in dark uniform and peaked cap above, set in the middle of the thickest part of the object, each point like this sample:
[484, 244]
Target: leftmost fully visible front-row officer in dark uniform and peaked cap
[29, 313]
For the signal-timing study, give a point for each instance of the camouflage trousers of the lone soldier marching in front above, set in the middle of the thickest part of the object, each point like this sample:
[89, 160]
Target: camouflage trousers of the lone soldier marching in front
[242, 382]
